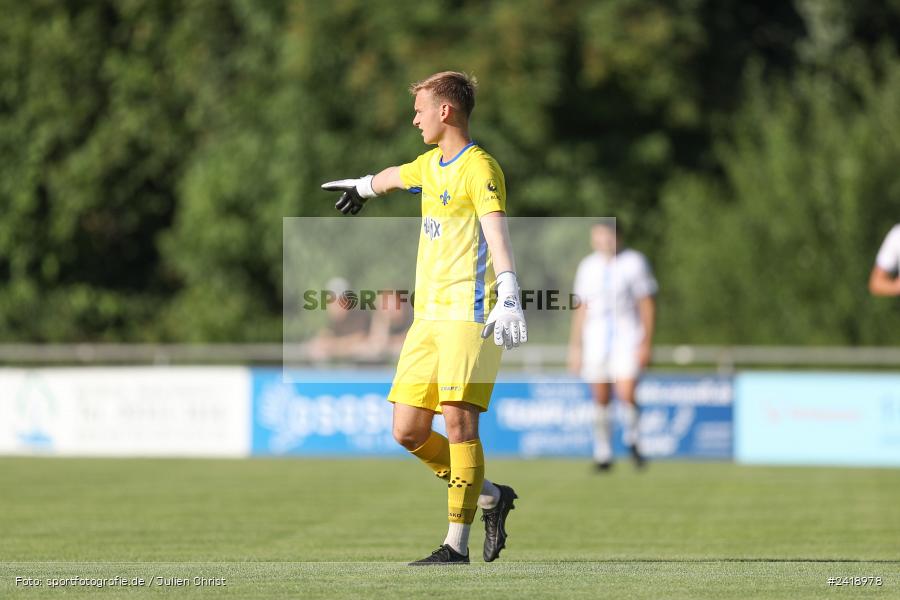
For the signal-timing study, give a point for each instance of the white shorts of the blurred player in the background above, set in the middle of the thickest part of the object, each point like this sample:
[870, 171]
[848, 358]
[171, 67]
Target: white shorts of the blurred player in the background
[607, 359]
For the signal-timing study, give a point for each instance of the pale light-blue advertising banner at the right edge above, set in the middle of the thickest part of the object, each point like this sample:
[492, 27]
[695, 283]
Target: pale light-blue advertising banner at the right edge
[818, 419]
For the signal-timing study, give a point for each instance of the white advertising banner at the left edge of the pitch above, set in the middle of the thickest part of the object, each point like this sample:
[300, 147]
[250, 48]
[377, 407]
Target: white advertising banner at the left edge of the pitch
[142, 411]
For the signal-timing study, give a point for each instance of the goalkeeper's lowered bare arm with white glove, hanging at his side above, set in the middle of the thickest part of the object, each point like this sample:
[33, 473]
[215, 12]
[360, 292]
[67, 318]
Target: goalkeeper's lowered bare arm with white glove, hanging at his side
[506, 320]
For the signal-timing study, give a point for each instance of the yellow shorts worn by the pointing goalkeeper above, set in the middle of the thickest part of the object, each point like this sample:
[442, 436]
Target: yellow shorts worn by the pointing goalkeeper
[445, 361]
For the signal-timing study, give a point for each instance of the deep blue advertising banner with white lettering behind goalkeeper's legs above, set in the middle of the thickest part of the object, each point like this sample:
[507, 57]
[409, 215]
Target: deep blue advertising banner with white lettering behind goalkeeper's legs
[339, 413]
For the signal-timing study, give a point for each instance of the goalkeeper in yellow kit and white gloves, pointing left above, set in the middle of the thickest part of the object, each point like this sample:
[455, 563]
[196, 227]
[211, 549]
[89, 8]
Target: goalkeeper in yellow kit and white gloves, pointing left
[464, 252]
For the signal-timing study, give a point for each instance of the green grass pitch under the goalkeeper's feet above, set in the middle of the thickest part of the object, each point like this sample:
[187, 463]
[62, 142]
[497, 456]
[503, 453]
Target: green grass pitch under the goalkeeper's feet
[332, 528]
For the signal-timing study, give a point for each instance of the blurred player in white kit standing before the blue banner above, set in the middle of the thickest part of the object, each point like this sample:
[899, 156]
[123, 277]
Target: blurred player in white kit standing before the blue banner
[612, 333]
